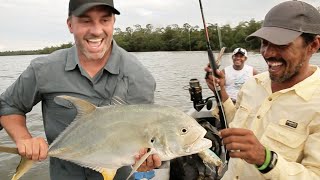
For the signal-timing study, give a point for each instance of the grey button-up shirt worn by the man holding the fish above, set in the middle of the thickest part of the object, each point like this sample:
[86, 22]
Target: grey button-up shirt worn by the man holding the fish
[60, 74]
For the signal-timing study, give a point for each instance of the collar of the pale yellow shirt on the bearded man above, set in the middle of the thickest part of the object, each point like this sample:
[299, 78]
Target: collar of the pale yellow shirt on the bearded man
[305, 89]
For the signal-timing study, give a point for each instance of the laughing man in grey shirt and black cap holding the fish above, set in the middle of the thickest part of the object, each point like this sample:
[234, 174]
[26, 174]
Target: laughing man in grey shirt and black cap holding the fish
[95, 69]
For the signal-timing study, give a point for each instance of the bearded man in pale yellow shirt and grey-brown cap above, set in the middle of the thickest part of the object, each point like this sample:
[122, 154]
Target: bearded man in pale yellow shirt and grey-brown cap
[275, 124]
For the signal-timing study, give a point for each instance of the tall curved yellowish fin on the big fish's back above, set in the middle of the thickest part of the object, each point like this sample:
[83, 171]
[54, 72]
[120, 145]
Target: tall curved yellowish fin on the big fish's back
[83, 107]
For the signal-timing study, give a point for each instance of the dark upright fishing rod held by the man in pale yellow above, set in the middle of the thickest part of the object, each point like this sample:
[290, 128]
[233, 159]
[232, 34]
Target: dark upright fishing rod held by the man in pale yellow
[217, 89]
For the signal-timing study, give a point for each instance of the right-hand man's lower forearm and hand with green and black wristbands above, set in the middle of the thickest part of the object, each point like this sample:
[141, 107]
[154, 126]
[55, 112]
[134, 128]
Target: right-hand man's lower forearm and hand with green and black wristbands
[242, 143]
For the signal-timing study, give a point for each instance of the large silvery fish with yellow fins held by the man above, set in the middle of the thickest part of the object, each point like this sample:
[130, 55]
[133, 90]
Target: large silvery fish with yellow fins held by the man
[107, 138]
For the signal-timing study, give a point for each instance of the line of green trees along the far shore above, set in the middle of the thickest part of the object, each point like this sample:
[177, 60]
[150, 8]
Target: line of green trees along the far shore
[173, 38]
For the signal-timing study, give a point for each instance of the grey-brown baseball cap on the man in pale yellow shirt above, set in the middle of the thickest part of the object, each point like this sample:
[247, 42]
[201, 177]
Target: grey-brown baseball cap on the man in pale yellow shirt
[287, 21]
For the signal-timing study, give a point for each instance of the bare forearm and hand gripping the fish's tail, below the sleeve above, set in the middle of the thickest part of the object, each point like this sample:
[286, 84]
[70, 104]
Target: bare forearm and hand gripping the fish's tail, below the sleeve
[33, 148]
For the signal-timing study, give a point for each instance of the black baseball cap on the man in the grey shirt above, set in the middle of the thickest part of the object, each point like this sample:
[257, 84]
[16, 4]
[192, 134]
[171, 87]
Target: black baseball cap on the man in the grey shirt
[78, 7]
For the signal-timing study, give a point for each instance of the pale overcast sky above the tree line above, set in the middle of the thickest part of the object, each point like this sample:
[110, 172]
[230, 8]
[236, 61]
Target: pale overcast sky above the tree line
[35, 24]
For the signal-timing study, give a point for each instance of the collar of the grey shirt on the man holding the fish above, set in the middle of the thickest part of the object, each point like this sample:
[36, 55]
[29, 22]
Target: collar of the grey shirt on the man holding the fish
[112, 65]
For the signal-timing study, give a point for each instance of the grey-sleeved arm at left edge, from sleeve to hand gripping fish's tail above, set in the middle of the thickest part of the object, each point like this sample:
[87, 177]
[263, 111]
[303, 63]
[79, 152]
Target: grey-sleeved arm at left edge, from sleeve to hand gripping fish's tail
[15, 102]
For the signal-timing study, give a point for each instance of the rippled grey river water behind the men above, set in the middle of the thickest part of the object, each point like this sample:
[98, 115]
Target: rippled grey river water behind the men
[172, 71]
